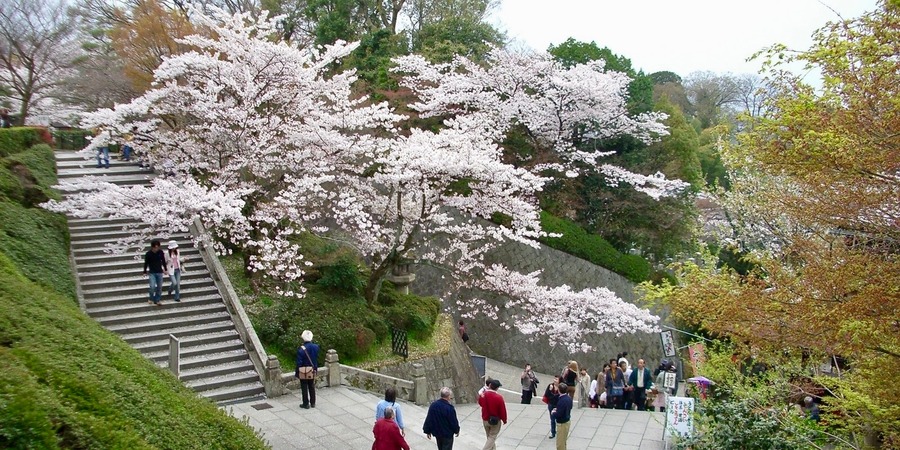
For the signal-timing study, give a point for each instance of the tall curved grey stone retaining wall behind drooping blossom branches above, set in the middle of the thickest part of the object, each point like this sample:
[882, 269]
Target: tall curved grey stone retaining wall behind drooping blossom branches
[488, 338]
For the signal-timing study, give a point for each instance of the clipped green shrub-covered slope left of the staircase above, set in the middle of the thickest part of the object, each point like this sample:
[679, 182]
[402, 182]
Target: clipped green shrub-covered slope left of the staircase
[65, 382]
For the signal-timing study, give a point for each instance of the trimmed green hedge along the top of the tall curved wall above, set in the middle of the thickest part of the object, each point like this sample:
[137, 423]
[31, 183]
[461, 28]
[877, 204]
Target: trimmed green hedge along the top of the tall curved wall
[578, 242]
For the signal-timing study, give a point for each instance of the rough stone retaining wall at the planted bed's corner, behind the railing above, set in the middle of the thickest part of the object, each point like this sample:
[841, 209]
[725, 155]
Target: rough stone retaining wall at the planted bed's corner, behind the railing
[453, 369]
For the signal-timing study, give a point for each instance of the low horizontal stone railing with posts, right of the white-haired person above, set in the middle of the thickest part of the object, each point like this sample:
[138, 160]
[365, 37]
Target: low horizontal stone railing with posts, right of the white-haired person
[336, 374]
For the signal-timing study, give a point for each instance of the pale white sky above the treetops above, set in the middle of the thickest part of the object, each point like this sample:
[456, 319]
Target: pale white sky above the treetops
[680, 36]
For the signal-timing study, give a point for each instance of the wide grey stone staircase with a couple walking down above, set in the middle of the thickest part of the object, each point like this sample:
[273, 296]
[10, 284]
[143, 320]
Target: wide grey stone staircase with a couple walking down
[214, 361]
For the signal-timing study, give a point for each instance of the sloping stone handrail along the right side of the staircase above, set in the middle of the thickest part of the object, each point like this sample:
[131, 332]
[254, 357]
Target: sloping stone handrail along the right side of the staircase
[268, 366]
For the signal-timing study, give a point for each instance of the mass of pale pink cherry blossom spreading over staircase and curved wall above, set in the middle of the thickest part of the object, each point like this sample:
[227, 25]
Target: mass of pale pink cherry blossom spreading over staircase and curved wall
[265, 141]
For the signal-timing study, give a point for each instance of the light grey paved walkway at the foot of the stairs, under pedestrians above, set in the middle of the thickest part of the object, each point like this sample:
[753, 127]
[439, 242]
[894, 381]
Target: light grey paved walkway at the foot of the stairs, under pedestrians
[343, 420]
